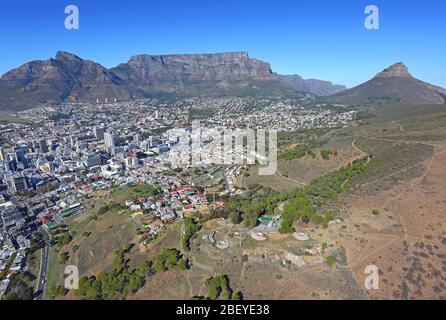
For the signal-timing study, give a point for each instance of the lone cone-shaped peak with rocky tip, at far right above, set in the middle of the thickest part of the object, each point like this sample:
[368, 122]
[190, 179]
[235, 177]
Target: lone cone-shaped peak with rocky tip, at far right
[393, 84]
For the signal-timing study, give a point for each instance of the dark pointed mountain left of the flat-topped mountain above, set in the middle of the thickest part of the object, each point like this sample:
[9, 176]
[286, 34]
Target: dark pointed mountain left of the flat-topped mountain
[65, 78]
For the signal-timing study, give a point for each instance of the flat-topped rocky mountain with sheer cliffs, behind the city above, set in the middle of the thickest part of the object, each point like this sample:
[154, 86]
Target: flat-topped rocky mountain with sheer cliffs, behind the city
[232, 73]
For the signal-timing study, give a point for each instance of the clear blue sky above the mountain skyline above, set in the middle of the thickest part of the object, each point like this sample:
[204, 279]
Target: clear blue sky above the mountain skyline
[315, 39]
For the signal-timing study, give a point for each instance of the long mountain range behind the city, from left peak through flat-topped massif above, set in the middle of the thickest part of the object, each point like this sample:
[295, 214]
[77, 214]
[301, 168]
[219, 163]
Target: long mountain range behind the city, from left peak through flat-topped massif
[70, 78]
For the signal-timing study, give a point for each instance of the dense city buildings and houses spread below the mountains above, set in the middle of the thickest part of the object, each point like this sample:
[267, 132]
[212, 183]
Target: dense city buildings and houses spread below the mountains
[59, 157]
